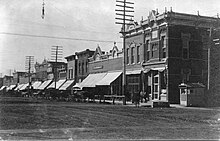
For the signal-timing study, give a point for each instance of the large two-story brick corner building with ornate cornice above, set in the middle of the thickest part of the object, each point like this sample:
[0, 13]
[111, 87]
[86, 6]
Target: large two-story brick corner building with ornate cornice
[167, 49]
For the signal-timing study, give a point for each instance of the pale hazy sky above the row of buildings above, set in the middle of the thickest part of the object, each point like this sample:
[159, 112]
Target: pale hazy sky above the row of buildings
[80, 24]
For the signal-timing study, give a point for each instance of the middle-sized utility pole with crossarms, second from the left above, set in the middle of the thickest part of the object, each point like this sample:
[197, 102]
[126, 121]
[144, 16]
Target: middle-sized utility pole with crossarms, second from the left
[56, 54]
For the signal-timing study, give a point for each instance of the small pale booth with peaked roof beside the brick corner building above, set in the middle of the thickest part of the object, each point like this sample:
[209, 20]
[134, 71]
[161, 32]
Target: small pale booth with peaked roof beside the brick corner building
[192, 94]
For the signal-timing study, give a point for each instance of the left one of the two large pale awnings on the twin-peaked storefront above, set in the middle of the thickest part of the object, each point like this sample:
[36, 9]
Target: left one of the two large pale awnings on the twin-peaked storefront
[92, 79]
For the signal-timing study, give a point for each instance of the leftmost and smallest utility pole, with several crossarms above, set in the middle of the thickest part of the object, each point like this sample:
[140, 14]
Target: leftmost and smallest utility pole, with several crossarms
[28, 65]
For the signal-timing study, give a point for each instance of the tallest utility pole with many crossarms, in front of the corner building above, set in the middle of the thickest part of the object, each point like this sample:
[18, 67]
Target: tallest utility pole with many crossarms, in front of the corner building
[123, 12]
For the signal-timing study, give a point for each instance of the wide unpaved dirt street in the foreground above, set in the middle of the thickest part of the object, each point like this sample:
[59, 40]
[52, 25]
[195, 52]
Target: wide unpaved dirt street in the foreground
[25, 119]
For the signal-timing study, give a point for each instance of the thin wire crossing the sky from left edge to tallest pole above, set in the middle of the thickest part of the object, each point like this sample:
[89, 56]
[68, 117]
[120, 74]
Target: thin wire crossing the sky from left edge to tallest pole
[55, 37]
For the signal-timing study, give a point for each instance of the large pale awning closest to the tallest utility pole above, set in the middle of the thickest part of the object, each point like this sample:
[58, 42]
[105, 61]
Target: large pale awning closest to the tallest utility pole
[109, 78]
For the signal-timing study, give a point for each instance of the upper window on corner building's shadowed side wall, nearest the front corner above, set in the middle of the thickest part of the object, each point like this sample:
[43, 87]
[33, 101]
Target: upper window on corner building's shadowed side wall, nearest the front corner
[185, 45]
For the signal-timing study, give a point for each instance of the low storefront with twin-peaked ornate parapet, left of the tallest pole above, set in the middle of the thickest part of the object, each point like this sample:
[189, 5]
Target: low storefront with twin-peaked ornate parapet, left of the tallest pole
[109, 64]
